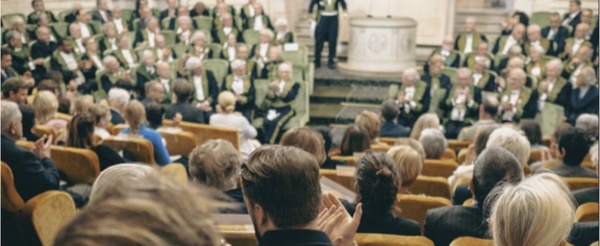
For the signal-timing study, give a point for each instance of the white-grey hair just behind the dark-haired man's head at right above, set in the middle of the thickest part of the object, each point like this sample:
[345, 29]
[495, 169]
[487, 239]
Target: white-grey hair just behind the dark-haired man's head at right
[513, 141]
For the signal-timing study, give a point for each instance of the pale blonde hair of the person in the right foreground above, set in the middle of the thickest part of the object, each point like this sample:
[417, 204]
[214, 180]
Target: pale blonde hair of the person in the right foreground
[538, 211]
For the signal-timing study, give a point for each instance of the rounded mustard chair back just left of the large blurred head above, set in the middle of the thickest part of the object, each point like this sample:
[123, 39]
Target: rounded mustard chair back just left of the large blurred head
[48, 213]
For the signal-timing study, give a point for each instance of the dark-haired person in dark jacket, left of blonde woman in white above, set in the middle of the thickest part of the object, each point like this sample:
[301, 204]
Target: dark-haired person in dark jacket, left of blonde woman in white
[182, 96]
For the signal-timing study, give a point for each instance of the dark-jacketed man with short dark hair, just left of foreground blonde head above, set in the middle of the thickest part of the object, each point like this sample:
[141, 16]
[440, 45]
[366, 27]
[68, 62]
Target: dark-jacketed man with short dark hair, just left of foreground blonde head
[493, 167]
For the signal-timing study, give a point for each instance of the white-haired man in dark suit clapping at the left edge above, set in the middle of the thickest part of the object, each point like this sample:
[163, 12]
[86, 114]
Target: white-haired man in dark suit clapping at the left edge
[33, 172]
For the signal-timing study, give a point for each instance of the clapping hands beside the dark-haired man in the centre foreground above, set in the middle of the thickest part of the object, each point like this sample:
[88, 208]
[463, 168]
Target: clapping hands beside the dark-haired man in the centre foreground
[337, 223]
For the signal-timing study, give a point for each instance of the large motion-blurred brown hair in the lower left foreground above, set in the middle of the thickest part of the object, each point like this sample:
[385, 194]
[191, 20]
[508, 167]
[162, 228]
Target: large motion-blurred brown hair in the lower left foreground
[151, 211]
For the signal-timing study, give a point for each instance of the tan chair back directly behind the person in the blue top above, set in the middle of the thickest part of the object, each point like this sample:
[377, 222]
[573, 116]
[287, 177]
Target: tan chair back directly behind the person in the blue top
[140, 148]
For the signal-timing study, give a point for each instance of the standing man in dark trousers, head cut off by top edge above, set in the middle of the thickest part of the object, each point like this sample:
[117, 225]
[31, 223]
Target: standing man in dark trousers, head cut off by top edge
[327, 27]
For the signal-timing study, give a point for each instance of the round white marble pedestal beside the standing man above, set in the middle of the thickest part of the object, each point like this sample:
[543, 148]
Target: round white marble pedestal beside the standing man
[381, 46]
